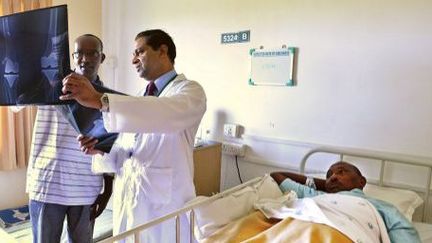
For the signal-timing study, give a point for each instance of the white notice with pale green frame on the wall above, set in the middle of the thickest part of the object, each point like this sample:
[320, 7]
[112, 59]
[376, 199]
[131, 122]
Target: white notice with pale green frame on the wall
[272, 66]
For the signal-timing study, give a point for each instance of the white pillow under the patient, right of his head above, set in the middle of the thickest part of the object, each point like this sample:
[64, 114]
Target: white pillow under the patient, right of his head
[405, 201]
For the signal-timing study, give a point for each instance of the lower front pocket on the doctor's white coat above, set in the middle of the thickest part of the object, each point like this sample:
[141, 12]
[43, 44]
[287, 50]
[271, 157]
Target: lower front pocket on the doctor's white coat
[158, 184]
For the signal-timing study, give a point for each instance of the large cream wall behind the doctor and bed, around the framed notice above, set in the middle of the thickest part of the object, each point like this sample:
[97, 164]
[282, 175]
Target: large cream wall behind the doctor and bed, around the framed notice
[363, 71]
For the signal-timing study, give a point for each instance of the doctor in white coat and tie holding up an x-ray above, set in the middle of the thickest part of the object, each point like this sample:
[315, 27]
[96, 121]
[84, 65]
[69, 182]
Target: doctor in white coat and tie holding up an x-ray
[153, 156]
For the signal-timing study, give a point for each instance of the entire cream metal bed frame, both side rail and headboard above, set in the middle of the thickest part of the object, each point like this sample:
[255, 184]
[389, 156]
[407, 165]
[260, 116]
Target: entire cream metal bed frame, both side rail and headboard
[380, 157]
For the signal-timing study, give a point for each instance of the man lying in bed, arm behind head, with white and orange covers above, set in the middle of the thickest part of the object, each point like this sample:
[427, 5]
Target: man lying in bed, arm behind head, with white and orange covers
[331, 210]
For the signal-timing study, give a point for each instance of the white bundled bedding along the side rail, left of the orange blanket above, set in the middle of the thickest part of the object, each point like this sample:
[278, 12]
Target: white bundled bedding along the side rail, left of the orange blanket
[213, 216]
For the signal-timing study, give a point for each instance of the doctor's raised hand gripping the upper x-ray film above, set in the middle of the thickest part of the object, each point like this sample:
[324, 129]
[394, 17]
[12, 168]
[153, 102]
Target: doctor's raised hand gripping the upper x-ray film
[77, 87]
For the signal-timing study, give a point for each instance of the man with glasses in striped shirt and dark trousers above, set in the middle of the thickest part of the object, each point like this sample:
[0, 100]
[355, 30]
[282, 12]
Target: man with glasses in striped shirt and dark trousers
[60, 182]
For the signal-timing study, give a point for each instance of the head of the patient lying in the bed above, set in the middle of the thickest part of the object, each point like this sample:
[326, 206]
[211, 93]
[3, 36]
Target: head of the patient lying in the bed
[343, 176]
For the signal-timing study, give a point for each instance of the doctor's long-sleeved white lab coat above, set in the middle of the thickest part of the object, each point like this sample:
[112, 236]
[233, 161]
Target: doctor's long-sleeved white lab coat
[158, 177]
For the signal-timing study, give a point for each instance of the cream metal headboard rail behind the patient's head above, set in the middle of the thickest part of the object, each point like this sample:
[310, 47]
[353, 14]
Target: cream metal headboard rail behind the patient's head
[383, 158]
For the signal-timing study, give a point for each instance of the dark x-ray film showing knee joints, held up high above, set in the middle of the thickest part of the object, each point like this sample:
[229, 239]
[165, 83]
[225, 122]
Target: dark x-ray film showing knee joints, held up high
[34, 56]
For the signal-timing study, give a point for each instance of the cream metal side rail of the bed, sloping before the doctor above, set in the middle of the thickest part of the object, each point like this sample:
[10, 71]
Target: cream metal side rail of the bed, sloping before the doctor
[176, 214]
